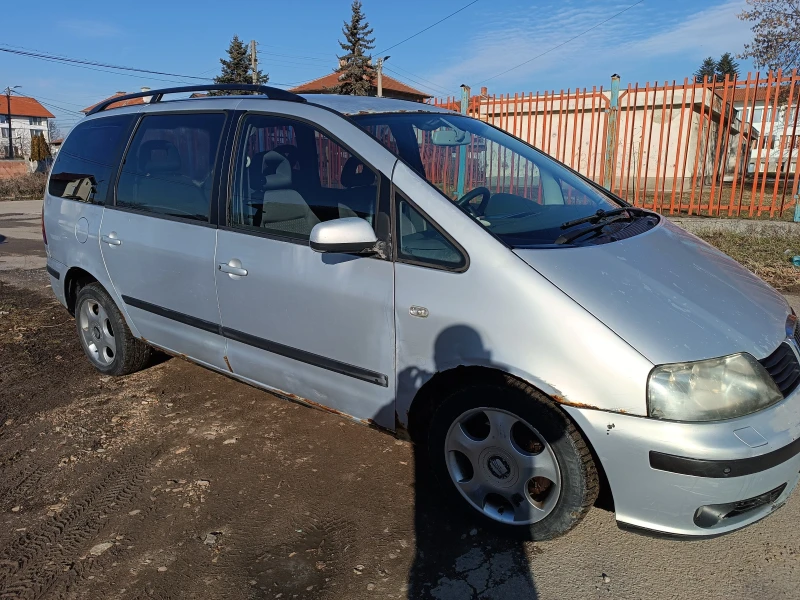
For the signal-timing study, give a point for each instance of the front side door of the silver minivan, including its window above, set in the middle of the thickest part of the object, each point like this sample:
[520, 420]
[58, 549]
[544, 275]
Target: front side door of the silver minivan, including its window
[318, 326]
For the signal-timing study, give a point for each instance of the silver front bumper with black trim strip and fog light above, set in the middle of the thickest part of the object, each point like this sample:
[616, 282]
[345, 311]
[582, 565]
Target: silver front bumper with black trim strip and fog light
[696, 479]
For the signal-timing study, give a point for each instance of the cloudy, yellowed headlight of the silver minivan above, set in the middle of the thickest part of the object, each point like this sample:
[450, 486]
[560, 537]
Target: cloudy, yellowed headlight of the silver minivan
[710, 390]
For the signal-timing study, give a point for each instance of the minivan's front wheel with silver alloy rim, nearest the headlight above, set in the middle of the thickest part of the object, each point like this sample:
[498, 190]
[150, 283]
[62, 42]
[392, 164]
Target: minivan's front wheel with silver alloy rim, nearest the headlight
[525, 434]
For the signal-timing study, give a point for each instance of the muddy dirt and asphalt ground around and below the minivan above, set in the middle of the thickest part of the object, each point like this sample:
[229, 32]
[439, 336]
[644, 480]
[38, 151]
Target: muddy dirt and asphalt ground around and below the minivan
[177, 482]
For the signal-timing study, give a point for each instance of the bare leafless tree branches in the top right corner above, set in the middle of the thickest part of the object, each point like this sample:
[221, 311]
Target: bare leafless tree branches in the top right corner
[776, 33]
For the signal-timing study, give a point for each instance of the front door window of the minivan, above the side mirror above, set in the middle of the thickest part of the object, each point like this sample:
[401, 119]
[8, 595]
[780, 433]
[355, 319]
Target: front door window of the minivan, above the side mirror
[289, 176]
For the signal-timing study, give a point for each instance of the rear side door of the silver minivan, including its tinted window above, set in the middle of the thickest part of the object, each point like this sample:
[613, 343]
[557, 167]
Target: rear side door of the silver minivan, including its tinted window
[158, 240]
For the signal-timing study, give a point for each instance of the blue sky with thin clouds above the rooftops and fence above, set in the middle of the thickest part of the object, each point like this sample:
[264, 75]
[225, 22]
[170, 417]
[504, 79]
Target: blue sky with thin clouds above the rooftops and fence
[654, 41]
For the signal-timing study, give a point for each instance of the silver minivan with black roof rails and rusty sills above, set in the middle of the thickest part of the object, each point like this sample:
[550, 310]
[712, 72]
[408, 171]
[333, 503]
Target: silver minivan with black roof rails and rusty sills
[433, 276]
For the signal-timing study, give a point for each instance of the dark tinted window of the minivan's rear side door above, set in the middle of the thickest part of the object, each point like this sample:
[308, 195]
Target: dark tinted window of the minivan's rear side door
[169, 167]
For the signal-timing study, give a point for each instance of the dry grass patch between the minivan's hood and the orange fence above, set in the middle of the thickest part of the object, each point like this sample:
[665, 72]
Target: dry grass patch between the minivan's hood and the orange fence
[767, 255]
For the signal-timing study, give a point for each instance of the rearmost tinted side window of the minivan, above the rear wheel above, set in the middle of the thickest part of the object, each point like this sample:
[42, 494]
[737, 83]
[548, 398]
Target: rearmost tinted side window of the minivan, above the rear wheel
[89, 158]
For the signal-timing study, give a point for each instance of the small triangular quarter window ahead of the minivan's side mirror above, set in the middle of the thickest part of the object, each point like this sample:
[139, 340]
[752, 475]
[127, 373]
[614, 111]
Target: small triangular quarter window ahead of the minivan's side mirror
[420, 242]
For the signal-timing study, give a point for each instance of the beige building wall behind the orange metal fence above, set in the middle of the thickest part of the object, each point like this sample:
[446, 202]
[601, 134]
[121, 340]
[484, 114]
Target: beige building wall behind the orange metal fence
[662, 136]
